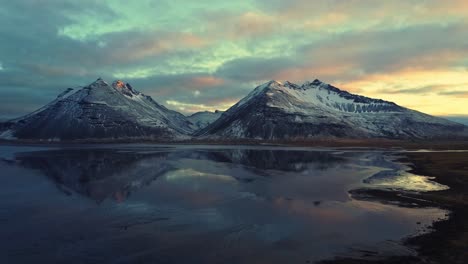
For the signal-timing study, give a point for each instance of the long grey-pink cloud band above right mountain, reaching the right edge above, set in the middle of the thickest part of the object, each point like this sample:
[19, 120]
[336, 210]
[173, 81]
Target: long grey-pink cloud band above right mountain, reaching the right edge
[352, 55]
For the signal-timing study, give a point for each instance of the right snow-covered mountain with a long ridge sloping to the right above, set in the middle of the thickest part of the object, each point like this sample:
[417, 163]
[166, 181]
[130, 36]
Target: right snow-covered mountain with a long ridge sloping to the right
[315, 109]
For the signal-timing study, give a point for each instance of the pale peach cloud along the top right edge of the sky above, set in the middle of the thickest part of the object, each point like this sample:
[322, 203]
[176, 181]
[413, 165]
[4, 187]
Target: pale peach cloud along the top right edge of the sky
[356, 15]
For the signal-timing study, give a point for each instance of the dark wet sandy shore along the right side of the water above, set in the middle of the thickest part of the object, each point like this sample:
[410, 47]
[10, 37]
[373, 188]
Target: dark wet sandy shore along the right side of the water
[448, 243]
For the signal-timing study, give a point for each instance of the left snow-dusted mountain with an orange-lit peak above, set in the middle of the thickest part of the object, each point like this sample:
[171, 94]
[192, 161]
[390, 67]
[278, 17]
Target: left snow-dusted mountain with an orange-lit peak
[99, 111]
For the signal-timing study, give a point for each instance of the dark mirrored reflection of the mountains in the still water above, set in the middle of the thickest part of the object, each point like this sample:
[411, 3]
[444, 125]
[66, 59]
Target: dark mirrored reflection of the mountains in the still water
[103, 173]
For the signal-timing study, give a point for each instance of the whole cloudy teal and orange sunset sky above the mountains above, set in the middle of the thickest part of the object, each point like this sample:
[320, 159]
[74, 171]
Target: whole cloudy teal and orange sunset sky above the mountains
[207, 54]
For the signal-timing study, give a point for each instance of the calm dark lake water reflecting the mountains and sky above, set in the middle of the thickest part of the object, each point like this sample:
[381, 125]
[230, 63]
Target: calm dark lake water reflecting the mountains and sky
[156, 204]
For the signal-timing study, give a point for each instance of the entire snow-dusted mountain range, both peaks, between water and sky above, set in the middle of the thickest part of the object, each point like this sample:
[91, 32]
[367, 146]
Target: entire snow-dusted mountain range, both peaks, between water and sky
[271, 111]
